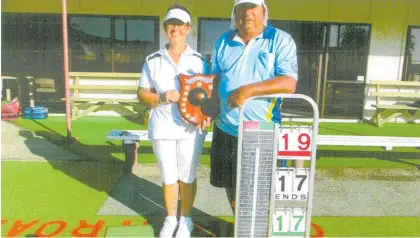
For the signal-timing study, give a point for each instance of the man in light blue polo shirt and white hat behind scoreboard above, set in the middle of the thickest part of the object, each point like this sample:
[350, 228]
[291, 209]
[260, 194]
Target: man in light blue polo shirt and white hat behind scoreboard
[252, 59]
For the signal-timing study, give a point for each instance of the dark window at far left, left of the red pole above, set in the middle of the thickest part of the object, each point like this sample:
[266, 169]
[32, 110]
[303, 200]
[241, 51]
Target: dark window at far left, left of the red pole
[31, 43]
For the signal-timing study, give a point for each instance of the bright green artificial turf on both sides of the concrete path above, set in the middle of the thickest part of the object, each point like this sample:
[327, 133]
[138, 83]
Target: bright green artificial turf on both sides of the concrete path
[35, 194]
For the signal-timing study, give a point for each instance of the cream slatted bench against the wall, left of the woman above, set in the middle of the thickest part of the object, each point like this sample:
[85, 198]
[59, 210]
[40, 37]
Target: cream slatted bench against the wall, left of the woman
[92, 92]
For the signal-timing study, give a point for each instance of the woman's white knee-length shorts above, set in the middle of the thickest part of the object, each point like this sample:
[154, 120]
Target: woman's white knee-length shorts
[178, 159]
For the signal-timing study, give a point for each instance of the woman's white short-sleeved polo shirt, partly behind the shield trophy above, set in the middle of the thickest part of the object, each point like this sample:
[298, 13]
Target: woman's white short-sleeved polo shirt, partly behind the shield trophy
[161, 73]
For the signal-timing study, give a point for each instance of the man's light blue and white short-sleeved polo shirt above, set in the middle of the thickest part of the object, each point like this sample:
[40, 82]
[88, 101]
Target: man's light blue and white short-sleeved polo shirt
[271, 54]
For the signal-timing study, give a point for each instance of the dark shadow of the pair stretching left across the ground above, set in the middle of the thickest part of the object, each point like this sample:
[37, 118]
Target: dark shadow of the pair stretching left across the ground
[101, 171]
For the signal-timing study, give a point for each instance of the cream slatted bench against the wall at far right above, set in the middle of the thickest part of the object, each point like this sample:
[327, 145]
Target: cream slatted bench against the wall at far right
[405, 93]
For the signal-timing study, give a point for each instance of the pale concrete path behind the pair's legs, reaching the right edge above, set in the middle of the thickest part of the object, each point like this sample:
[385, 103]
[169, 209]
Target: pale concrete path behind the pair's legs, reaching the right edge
[139, 194]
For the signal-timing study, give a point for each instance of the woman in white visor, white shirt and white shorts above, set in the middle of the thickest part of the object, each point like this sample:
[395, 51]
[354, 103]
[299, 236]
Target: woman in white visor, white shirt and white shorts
[177, 145]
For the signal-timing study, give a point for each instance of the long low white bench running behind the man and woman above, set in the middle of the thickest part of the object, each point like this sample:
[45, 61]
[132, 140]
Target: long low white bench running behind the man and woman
[131, 139]
